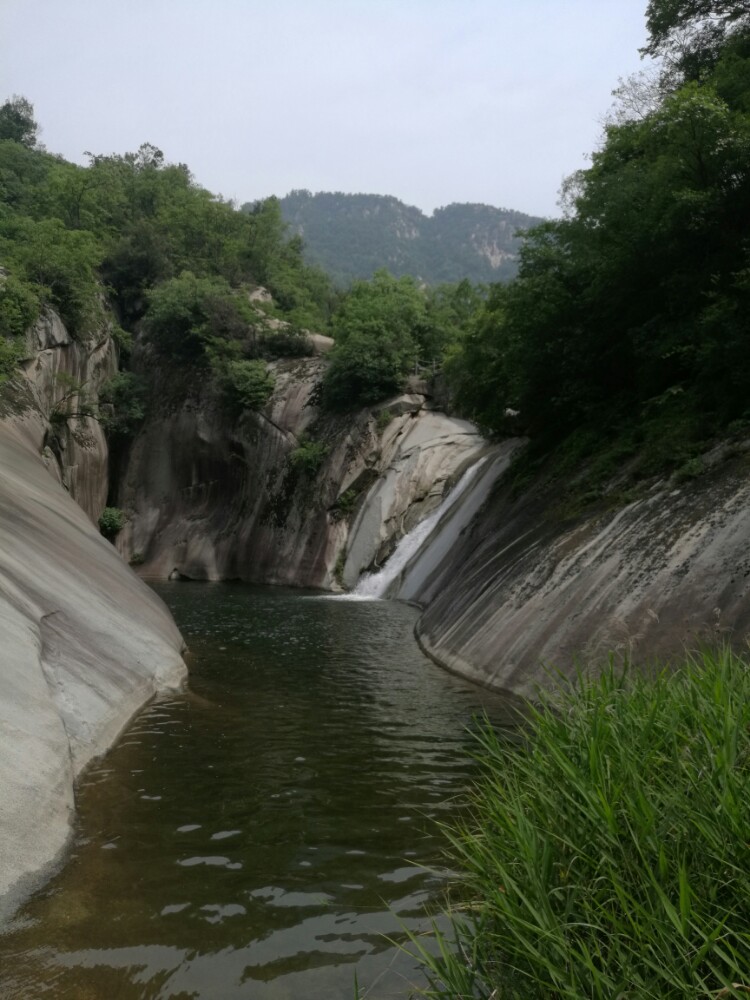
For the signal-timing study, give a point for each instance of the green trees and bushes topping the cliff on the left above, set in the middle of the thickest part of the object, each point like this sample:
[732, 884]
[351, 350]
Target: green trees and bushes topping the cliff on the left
[135, 236]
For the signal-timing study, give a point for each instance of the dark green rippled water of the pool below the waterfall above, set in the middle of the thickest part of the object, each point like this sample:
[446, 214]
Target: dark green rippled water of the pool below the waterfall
[257, 837]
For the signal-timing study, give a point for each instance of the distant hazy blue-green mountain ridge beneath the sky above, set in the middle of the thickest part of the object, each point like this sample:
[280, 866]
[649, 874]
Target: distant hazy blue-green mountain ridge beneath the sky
[352, 235]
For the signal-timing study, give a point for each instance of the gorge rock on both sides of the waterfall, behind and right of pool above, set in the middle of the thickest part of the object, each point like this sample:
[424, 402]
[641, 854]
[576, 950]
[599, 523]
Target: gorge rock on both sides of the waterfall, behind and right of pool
[508, 586]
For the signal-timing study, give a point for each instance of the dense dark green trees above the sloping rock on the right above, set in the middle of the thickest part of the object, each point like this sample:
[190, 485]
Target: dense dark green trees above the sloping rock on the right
[642, 290]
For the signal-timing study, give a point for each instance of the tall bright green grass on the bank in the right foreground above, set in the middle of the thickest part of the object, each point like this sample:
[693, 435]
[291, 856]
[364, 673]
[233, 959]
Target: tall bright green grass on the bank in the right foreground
[607, 855]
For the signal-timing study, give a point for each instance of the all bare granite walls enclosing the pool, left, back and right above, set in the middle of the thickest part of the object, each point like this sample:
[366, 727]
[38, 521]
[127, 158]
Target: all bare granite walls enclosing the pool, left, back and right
[292, 495]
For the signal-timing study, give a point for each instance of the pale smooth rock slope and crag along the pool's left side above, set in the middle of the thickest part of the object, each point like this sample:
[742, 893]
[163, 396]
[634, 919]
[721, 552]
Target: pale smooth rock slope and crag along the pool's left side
[85, 643]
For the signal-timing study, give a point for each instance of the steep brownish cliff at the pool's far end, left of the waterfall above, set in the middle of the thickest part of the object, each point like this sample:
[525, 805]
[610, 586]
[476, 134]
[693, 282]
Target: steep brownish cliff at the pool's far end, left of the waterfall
[286, 496]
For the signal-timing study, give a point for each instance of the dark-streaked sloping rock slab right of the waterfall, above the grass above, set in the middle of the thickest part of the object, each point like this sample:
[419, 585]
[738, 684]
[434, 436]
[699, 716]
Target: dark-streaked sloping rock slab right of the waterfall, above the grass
[520, 589]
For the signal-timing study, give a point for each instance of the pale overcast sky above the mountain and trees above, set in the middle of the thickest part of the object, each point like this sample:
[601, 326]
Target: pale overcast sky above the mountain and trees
[433, 101]
